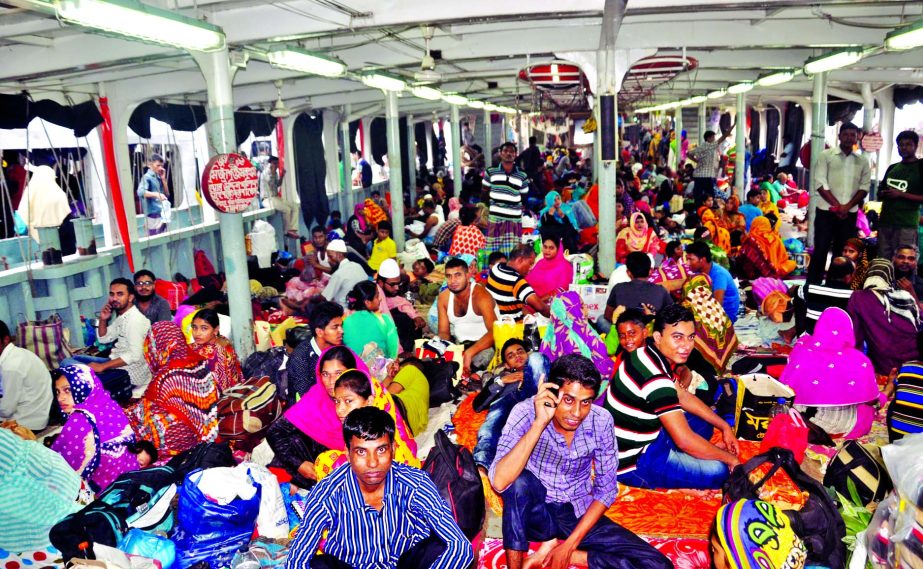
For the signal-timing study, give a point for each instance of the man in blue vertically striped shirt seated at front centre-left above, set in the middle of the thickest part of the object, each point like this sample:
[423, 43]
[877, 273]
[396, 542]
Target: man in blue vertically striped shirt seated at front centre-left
[377, 513]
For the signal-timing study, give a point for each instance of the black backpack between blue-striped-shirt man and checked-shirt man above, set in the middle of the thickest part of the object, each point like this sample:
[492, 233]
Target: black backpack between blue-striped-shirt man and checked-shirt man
[455, 475]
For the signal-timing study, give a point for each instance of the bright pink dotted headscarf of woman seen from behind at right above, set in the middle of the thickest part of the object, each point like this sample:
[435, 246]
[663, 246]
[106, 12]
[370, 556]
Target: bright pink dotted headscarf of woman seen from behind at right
[826, 370]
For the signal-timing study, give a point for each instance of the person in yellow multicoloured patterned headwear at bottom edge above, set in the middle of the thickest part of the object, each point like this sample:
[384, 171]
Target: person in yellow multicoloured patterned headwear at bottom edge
[751, 534]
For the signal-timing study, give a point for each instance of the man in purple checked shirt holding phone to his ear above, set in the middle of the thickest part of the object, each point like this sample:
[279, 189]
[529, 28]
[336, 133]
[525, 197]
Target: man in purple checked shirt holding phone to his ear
[555, 468]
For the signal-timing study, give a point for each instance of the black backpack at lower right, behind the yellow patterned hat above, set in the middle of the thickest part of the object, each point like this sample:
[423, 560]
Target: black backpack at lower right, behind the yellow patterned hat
[818, 523]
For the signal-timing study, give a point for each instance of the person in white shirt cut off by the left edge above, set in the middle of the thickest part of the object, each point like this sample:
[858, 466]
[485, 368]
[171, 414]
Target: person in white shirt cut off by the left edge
[25, 385]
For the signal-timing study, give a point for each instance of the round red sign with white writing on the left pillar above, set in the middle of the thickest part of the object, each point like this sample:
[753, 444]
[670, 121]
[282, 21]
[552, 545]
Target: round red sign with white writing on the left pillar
[230, 183]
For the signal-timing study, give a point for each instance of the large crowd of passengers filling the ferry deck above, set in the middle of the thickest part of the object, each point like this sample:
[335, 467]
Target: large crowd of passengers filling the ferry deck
[626, 395]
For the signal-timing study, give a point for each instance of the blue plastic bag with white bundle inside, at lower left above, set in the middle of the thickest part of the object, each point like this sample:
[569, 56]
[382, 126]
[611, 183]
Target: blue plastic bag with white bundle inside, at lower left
[209, 531]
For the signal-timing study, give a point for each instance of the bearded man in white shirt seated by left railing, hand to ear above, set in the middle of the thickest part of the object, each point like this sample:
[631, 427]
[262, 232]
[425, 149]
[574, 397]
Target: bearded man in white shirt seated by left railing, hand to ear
[127, 332]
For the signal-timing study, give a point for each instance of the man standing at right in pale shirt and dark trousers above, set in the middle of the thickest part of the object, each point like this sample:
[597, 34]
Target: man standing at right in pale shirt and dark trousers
[841, 181]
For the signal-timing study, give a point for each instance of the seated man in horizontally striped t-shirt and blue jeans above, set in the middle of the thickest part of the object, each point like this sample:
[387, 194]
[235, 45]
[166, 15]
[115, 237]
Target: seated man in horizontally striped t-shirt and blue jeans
[663, 431]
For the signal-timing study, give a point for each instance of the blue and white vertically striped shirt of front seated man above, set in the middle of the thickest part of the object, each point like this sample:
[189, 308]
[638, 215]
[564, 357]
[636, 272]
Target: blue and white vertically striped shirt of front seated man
[363, 537]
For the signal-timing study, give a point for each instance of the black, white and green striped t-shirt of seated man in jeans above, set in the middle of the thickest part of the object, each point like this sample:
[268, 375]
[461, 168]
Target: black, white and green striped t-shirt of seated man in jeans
[641, 392]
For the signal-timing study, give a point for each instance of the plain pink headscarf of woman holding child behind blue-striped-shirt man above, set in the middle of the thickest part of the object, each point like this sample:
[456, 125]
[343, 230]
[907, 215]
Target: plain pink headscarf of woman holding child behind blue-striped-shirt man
[315, 414]
